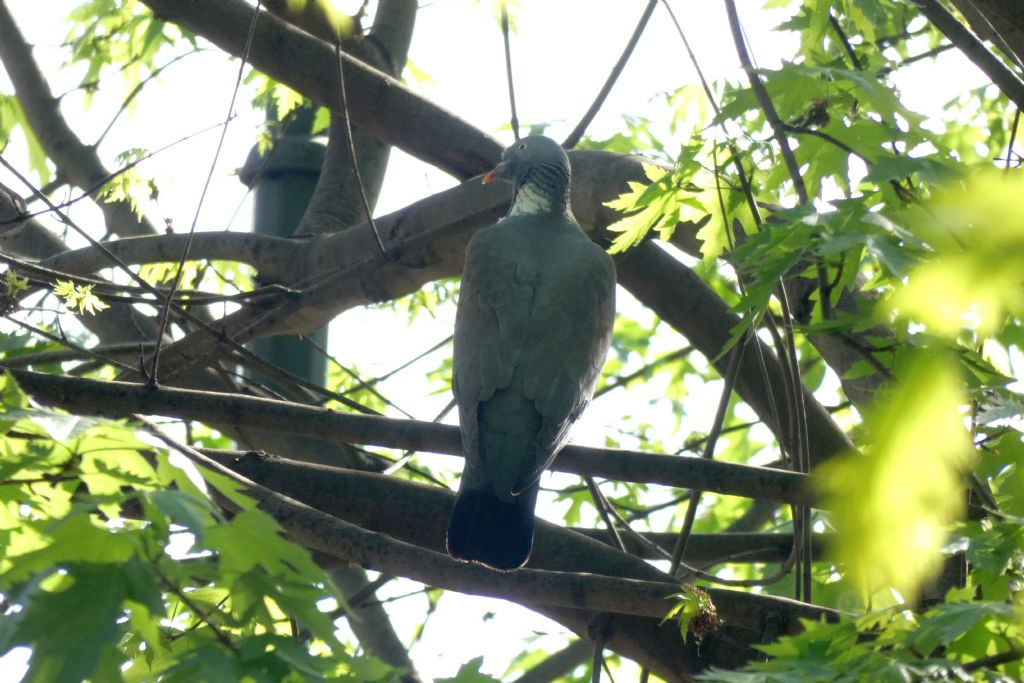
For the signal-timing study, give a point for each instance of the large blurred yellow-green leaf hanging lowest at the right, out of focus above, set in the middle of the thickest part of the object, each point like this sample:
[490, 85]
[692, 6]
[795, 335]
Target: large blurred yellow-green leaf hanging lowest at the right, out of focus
[884, 510]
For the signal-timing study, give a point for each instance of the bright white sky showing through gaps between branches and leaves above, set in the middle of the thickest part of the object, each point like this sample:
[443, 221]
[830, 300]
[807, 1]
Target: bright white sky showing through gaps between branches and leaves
[562, 56]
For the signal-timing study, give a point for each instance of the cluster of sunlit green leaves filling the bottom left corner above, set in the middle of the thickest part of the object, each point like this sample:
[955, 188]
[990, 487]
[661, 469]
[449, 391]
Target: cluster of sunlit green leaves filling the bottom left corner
[118, 566]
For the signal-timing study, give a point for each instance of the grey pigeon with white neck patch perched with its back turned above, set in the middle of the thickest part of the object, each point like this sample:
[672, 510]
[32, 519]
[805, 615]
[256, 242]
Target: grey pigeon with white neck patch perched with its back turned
[534, 324]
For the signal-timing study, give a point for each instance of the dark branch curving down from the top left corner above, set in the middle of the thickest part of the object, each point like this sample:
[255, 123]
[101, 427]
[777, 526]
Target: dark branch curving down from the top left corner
[76, 162]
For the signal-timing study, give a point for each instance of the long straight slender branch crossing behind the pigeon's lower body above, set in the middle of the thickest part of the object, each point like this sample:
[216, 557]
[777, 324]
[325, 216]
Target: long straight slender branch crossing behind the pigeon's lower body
[84, 397]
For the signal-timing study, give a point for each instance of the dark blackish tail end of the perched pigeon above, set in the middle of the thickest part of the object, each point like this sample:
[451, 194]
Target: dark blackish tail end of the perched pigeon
[488, 530]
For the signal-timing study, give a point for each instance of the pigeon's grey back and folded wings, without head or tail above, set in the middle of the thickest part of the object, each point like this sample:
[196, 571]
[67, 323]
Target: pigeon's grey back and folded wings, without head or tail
[539, 307]
